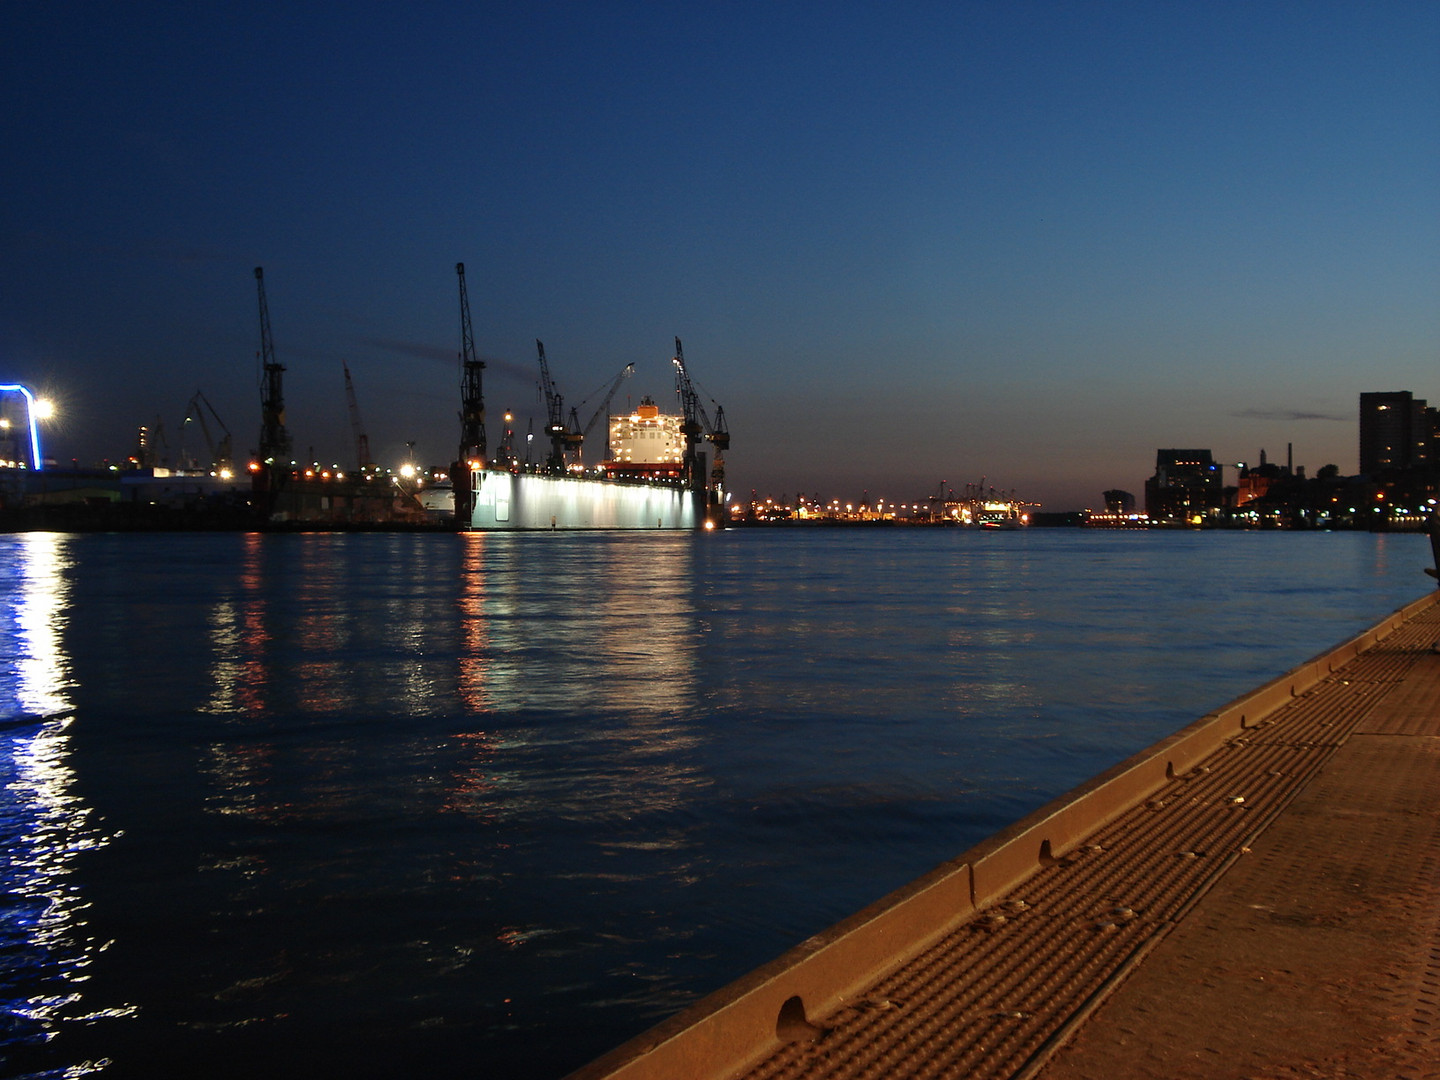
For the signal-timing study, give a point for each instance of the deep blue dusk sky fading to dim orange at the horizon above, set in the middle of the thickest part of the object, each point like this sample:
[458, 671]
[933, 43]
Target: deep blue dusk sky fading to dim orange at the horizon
[904, 244]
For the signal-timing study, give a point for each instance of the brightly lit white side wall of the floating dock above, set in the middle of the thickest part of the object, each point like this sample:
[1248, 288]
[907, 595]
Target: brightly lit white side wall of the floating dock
[525, 502]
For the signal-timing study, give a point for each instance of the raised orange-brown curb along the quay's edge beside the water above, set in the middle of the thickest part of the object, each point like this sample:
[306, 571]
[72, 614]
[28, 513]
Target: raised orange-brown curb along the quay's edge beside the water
[748, 1020]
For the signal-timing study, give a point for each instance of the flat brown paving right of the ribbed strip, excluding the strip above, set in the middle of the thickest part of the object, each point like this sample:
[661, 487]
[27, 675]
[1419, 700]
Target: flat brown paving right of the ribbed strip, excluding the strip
[1318, 954]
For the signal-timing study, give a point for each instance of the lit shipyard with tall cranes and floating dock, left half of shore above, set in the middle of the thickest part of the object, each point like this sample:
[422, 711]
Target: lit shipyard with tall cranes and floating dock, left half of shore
[653, 473]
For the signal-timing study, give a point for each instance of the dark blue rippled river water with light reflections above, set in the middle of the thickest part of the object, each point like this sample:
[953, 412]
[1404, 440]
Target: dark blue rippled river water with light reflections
[379, 806]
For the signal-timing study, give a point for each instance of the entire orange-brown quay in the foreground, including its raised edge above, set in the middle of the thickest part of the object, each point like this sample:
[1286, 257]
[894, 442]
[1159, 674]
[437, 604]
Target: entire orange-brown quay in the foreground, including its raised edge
[1258, 895]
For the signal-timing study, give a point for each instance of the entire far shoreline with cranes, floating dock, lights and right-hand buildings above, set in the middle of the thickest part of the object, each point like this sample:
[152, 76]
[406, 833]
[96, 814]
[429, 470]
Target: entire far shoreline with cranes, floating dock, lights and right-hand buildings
[652, 470]
